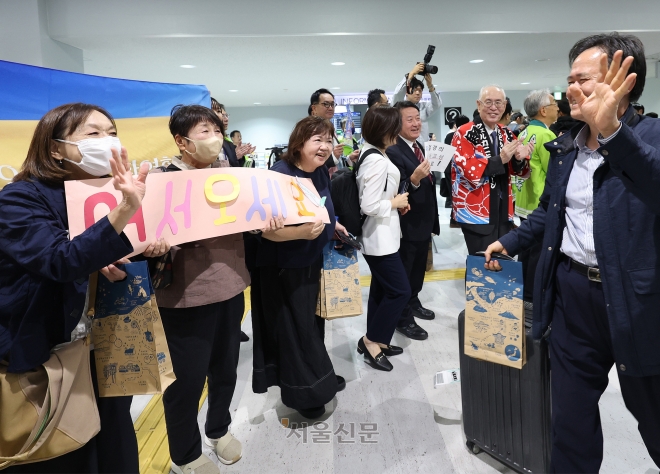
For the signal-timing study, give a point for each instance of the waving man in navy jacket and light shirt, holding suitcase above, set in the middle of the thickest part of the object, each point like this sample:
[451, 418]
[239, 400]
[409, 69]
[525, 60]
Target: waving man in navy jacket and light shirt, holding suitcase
[598, 277]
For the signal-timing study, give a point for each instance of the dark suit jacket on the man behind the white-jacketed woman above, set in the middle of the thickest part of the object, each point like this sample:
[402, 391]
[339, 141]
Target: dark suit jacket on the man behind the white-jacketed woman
[421, 221]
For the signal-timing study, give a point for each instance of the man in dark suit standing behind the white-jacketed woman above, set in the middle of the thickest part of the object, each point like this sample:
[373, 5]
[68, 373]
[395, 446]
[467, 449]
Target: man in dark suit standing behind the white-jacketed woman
[421, 221]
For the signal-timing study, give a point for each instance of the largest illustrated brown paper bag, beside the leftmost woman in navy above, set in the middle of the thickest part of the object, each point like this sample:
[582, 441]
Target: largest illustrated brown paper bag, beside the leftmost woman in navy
[130, 348]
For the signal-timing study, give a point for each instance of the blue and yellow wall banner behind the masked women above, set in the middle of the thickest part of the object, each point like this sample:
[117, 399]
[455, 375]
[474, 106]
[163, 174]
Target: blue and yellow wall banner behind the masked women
[141, 110]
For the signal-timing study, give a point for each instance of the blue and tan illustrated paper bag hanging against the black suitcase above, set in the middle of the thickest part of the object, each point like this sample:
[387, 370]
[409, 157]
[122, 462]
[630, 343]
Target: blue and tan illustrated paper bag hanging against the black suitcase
[494, 313]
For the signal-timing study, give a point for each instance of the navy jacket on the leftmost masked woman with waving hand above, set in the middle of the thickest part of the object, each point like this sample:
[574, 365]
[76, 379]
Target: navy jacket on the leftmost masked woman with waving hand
[43, 274]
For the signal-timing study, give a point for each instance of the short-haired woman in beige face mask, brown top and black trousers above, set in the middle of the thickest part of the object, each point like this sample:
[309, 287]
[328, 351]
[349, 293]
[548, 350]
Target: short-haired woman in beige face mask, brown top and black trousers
[202, 311]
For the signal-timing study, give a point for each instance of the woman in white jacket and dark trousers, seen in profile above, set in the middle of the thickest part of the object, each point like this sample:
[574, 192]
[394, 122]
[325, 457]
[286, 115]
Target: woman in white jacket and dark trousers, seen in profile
[378, 186]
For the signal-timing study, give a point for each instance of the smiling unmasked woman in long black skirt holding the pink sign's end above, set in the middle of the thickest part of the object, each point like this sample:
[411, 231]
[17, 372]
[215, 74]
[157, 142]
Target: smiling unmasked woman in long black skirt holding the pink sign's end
[289, 351]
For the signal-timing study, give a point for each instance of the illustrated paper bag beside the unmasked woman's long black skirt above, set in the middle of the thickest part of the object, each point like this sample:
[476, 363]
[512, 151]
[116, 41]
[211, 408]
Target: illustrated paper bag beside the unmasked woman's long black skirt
[340, 294]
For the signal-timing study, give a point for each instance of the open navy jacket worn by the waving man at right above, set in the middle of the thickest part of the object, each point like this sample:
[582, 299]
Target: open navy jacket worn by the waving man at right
[626, 235]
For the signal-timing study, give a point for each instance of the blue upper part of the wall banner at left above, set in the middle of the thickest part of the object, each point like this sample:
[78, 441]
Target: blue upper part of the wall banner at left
[28, 92]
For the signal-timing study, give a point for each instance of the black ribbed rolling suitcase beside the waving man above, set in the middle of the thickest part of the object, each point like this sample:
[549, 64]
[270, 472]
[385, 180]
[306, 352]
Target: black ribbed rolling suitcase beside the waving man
[506, 411]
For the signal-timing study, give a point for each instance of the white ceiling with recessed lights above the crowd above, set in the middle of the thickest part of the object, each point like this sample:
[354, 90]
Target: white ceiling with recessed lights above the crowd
[279, 52]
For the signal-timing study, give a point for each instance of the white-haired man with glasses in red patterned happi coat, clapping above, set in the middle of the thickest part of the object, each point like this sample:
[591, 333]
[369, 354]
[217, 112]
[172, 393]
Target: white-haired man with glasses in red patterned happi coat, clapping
[487, 154]
